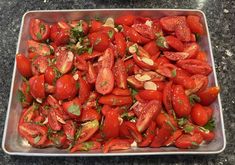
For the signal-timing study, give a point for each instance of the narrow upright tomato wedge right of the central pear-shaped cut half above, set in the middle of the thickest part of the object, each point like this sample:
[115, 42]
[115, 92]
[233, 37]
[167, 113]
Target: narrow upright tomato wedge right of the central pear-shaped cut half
[120, 74]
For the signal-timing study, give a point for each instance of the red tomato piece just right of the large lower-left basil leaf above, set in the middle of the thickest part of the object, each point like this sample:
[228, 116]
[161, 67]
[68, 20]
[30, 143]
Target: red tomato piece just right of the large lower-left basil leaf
[89, 114]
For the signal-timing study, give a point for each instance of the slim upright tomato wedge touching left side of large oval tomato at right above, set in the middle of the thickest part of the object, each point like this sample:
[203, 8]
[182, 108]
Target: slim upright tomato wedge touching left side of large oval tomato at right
[167, 97]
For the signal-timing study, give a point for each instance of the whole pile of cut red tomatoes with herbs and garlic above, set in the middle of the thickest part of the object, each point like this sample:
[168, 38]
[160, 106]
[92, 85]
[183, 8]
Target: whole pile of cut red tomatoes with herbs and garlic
[116, 83]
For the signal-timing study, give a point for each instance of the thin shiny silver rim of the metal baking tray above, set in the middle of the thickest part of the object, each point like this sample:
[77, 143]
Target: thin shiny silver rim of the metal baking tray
[184, 152]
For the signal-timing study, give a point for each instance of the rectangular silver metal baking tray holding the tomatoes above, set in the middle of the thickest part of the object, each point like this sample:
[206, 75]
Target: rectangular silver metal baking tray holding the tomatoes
[12, 144]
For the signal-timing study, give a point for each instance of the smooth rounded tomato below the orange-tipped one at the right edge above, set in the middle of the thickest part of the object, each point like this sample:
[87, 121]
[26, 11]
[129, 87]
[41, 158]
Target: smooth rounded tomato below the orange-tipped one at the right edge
[199, 115]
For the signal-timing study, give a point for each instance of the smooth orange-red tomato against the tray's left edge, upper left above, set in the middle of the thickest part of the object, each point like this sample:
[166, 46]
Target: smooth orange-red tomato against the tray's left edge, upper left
[23, 65]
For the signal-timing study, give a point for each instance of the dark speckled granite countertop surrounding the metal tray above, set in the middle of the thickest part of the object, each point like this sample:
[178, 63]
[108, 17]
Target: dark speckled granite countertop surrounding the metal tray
[220, 16]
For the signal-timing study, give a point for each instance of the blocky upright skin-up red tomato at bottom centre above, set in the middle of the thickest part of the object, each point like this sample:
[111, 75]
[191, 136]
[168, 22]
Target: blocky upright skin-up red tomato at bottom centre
[111, 124]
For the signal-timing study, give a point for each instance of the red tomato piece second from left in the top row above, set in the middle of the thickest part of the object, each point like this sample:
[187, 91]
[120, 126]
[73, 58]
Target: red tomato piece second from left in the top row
[60, 33]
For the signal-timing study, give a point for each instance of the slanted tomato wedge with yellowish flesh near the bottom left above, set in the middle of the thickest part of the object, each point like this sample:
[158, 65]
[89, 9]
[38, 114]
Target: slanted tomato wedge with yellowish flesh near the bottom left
[87, 130]
